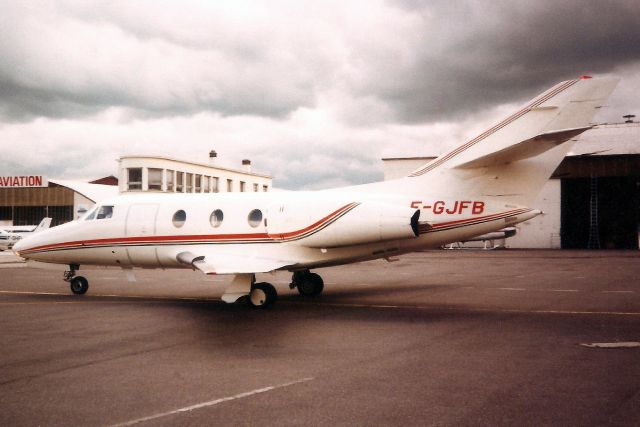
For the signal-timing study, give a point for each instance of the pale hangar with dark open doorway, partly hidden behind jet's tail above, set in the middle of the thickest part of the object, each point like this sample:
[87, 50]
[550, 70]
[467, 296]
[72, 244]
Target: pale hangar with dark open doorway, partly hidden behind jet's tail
[592, 201]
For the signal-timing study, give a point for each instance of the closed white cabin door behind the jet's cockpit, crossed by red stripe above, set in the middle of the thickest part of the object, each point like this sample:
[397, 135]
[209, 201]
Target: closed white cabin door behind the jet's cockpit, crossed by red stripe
[141, 223]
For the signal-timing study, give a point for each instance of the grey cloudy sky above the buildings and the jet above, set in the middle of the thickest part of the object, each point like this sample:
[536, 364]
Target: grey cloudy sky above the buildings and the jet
[314, 93]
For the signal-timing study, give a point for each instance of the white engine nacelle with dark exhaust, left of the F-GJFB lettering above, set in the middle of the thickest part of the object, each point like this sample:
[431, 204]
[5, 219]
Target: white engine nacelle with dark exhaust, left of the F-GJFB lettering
[364, 223]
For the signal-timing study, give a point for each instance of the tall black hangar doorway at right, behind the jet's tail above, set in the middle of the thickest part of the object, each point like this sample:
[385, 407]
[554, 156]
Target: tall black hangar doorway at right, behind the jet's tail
[600, 213]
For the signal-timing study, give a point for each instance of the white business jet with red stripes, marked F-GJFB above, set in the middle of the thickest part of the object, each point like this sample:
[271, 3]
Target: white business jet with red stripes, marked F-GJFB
[484, 185]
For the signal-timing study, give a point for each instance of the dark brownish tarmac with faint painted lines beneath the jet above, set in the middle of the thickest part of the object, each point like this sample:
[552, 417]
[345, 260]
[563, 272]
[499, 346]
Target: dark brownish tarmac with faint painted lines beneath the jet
[439, 338]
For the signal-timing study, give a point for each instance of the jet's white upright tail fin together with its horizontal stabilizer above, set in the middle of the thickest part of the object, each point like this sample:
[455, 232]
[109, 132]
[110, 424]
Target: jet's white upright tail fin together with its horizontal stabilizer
[514, 158]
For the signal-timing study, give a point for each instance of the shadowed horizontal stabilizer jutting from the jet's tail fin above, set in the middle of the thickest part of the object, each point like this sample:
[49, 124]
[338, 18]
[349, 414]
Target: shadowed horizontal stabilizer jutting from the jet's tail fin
[526, 149]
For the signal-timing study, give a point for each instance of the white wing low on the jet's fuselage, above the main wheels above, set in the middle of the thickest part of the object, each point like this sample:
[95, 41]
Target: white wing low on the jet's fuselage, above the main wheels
[230, 264]
